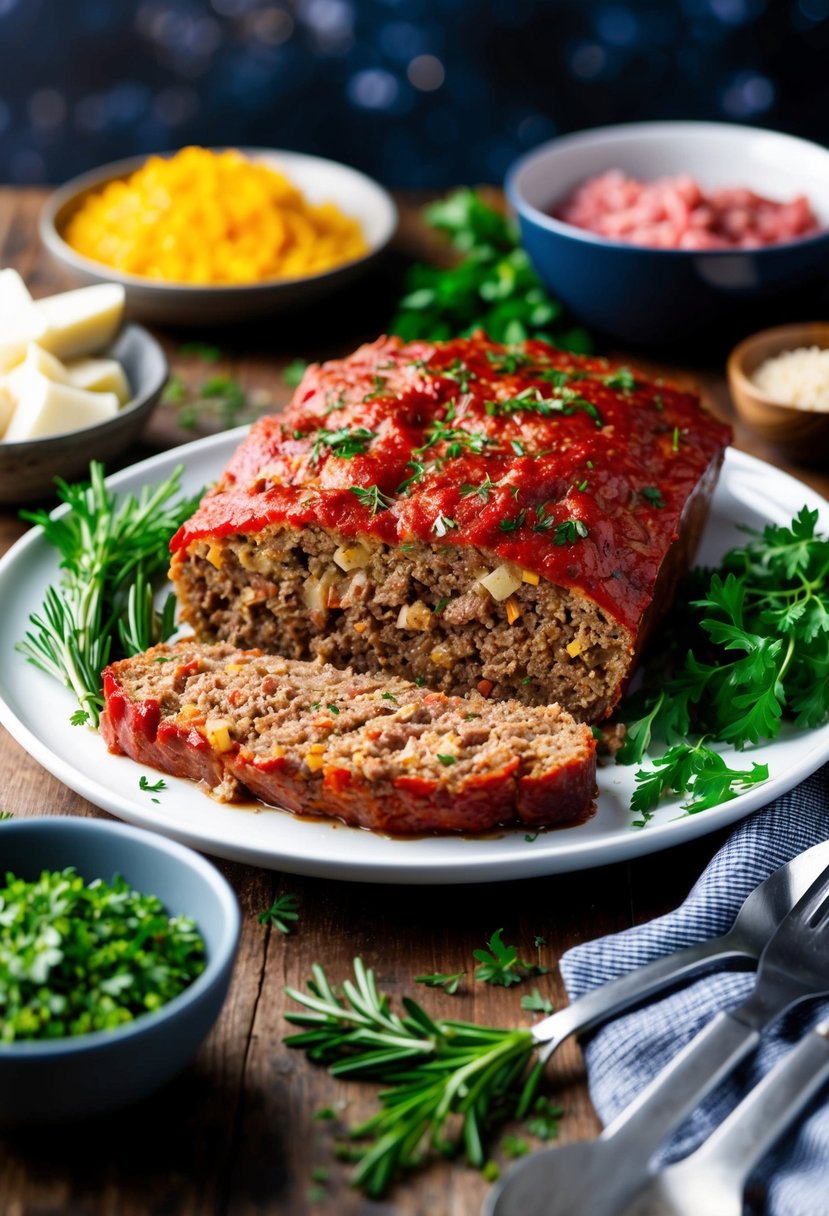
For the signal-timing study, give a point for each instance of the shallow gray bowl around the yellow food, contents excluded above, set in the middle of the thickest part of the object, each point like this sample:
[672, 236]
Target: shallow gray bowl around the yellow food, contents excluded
[185, 305]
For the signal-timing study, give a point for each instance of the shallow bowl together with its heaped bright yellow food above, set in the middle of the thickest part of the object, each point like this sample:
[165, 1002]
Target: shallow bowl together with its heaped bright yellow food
[207, 237]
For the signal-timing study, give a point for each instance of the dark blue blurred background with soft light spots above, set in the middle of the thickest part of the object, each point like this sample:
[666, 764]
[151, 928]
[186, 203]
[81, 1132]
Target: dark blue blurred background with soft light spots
[418, 93]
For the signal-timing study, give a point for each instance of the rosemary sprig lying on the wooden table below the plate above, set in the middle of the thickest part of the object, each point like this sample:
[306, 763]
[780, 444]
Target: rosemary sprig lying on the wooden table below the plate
[433, 1072]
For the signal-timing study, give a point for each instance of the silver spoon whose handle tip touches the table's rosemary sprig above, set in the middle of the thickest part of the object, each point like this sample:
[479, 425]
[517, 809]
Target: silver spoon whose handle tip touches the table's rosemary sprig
[755, 922]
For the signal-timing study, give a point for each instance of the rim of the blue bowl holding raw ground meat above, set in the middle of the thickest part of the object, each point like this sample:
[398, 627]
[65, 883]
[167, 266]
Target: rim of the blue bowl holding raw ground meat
[650, 131]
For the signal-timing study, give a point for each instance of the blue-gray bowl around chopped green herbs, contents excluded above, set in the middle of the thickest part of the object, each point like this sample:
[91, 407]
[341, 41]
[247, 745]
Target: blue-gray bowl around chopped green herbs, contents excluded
[76, 1078]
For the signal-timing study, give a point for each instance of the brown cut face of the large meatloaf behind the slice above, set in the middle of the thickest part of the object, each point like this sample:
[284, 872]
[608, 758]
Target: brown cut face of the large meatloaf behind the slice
[281, 590]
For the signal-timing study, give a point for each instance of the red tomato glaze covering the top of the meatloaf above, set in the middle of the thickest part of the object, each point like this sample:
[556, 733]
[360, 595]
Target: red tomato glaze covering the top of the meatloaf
[569, 468]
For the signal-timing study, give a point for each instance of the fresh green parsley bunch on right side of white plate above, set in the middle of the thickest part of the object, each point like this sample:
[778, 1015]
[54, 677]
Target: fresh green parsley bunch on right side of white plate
[760, 655]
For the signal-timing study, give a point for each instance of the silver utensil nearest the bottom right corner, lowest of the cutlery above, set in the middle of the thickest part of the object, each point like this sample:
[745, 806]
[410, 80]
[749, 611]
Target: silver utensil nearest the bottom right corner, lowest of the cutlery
[721, 1167]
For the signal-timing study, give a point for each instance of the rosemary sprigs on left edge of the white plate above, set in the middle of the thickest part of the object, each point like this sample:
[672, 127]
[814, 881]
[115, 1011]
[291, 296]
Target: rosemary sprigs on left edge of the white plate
[112, 551]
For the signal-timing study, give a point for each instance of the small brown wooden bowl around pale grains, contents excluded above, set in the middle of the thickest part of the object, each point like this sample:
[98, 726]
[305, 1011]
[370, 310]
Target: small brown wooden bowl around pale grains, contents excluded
[802, 436]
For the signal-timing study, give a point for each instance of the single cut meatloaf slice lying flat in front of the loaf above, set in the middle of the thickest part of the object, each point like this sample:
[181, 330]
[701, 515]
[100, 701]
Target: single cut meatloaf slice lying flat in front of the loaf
[374, 751]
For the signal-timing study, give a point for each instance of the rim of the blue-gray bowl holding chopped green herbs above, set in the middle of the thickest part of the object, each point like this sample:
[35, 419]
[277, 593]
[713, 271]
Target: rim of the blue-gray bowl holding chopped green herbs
[217, 960]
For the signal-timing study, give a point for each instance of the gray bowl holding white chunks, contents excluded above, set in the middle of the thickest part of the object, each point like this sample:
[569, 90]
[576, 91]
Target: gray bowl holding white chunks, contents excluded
[29, 469]
